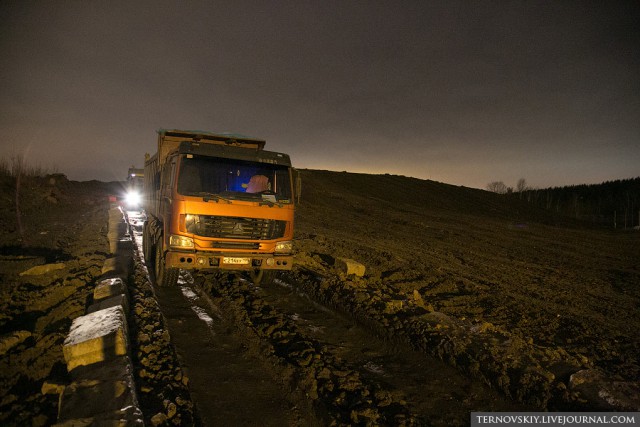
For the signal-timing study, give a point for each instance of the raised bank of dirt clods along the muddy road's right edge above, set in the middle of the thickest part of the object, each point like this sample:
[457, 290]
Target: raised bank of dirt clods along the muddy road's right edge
[533, 376]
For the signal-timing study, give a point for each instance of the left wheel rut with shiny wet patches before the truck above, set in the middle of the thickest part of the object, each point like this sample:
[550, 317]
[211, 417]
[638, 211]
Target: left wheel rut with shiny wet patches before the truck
[228, 372]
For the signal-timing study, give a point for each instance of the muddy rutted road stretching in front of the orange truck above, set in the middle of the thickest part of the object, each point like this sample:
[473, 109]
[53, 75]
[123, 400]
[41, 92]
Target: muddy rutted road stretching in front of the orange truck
[275, 356]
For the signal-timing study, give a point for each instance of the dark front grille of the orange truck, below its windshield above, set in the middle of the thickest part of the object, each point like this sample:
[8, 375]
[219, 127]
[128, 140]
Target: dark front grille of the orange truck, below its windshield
[237, 228]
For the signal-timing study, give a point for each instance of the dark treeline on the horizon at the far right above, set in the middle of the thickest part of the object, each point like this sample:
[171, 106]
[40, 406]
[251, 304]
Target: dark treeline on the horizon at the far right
[614, 203]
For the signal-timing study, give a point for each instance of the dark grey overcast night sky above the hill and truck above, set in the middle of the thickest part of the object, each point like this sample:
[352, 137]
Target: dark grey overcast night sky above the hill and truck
[462, 92]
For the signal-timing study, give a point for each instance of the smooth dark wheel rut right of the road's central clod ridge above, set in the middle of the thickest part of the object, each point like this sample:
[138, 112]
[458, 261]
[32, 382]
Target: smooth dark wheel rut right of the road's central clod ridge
[432, 389]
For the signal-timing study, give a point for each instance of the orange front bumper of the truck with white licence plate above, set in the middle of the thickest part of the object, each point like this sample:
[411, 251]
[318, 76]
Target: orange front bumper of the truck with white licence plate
[227, 261]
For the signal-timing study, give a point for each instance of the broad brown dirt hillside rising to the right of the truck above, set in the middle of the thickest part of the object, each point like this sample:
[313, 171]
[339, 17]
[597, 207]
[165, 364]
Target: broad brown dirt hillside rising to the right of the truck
[471, 254]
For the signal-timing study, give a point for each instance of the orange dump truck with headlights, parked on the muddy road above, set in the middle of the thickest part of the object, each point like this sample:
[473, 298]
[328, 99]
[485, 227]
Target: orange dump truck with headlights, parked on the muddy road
[217, 201]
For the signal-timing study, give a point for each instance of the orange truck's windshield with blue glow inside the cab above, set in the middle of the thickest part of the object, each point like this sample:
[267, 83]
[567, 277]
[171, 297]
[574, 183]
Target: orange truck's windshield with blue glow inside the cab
[234, 179]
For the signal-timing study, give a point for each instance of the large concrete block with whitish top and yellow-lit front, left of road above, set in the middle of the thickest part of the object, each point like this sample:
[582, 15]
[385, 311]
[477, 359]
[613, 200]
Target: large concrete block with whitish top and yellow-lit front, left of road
[96, 337]
